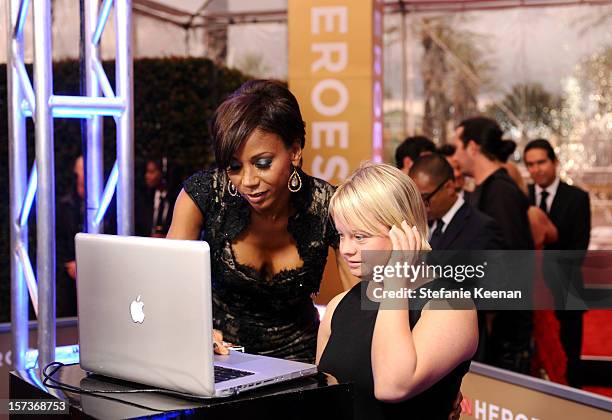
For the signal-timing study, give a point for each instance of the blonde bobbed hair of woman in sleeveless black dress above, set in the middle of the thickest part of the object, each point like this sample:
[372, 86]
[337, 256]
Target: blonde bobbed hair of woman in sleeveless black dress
[377, 192]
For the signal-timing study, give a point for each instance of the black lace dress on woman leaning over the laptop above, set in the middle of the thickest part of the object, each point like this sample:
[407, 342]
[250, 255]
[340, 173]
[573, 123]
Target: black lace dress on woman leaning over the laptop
[269, 316]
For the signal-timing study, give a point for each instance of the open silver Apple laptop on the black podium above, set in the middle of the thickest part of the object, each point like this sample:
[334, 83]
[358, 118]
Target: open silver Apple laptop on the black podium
[144, 308]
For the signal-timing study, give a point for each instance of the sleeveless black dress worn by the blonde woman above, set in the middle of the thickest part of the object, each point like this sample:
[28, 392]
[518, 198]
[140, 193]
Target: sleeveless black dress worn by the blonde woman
[347, 356]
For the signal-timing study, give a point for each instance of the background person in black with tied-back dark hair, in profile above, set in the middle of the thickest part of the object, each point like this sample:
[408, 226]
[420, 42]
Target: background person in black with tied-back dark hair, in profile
[480, 152]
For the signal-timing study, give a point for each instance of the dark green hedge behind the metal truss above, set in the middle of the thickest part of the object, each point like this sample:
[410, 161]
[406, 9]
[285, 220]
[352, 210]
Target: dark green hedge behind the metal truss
[174, 100]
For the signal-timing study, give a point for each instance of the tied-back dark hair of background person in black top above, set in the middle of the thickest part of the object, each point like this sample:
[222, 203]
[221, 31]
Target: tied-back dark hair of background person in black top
[488, 135]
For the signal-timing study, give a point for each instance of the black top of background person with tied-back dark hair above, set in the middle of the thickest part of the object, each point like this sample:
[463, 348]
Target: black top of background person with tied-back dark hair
[500, 198]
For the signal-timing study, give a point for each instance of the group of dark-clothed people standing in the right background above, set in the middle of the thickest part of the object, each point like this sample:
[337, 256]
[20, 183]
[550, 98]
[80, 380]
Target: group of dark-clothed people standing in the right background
[500, 211]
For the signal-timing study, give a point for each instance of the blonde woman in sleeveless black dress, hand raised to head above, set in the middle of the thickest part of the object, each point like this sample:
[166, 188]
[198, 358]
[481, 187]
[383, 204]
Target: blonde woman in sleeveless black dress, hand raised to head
[403, 362]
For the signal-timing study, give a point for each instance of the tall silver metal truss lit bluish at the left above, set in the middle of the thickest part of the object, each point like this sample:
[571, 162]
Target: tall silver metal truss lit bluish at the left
[40, 104]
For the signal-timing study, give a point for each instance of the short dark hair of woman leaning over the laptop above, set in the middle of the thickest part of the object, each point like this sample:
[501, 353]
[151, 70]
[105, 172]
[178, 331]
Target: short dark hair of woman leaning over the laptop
[258, 104]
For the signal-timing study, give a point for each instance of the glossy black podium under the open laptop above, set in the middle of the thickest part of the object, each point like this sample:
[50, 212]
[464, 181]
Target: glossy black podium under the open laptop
[316, 397]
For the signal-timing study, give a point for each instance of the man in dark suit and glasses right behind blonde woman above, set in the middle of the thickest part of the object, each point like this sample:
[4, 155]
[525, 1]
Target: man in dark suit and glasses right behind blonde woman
[456, 225]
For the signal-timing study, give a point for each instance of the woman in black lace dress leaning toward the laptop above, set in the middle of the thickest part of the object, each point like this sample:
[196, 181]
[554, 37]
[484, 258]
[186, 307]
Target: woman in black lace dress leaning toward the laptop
[266, 223]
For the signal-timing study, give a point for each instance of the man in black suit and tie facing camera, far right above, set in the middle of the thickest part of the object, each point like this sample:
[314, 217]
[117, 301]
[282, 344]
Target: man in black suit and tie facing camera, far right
[569, 210]
